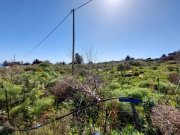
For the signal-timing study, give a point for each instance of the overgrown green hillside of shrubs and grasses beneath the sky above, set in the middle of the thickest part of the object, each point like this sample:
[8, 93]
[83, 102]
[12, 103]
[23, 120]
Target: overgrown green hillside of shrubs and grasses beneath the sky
[40, 95]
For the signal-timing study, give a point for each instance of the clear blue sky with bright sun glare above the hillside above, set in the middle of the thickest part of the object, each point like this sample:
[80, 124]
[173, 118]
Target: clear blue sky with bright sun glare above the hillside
[112, 28]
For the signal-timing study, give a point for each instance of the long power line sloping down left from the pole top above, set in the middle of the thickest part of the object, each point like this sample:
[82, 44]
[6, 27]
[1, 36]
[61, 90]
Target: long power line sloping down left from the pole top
[50, 33]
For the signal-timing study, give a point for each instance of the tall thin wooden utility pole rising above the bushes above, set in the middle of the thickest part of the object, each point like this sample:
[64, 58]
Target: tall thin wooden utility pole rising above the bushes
[73, 48]
